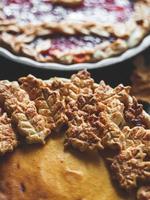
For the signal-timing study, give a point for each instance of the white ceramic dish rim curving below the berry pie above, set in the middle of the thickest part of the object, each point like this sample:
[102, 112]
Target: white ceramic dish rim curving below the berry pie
[55, 66]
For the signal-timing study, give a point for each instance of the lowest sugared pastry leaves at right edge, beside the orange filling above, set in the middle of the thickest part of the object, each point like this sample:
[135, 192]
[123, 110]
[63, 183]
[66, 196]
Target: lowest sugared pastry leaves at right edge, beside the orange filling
[133, 162]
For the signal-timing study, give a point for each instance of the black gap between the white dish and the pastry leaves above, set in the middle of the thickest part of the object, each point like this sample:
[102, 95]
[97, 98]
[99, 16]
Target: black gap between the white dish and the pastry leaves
[113, 75]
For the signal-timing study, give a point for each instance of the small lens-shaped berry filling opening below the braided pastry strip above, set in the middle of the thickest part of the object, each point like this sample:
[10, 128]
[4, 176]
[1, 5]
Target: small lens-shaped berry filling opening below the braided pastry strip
[72, 44]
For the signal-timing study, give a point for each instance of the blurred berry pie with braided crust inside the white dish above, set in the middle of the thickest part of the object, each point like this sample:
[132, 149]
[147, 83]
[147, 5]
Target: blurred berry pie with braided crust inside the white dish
[69, 31]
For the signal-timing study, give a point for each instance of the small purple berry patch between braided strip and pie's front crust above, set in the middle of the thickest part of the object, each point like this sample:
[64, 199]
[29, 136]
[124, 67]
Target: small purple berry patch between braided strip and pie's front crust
[59, 45]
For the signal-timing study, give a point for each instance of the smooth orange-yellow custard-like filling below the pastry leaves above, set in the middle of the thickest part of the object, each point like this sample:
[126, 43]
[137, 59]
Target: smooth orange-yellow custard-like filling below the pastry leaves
[50, 173]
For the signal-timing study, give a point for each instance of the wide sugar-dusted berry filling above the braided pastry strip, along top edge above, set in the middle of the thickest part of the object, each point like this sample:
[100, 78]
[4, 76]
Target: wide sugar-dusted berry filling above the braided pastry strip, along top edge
[88, 10]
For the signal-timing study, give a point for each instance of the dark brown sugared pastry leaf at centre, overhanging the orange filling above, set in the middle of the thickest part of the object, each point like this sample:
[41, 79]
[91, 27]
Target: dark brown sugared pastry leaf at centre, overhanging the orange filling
[84, 127]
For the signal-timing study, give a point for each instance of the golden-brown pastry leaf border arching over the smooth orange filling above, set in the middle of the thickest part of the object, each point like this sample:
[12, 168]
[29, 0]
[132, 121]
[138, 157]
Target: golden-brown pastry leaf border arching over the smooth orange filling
[96, 117]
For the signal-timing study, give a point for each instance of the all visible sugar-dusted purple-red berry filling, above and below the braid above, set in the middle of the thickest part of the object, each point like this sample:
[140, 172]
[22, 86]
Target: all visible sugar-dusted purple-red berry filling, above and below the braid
[36, 11]
